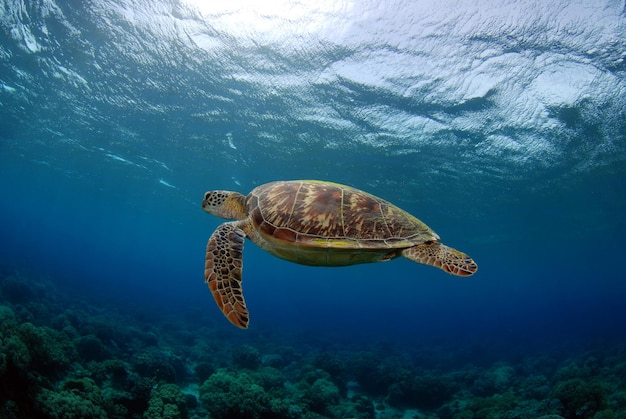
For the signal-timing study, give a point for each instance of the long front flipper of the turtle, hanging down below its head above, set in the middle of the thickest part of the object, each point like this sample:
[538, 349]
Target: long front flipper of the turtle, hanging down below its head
[222, 272]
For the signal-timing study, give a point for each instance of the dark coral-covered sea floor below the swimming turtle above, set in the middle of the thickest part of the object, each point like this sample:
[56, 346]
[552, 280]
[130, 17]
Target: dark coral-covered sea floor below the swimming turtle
[64, 357]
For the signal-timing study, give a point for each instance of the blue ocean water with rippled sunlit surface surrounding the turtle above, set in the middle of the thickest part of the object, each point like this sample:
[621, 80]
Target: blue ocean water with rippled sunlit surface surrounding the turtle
[502, 125]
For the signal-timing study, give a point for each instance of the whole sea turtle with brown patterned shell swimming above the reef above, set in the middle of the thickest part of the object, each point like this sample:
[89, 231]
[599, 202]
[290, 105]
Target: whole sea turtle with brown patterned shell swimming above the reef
[317, 223]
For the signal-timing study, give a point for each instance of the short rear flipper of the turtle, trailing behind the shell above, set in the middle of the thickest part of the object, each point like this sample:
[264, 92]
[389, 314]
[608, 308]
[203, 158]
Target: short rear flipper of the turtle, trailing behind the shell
[443, 257]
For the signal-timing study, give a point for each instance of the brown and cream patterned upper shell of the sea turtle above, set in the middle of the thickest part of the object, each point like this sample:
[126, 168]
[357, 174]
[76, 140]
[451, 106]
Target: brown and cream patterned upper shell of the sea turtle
[319, 213]
